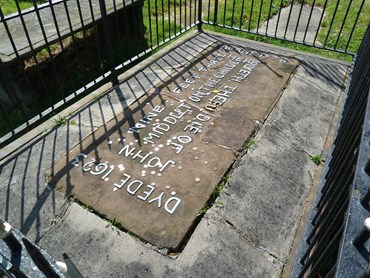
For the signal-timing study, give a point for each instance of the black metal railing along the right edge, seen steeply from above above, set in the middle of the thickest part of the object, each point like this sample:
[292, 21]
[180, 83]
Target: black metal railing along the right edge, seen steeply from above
[334, 243]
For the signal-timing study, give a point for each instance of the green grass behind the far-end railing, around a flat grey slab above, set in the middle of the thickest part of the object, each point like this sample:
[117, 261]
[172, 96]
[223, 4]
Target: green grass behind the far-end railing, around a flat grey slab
[248, 17]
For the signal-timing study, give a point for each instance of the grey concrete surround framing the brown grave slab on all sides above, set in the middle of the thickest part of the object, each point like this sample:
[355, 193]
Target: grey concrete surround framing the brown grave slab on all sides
[250, 235]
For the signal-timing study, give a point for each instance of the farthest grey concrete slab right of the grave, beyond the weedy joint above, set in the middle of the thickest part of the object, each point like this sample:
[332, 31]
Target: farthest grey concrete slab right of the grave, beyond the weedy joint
[301, 125]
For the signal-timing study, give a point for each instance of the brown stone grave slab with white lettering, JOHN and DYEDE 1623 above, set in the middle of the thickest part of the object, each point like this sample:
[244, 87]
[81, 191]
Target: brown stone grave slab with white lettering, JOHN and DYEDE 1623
[153, 167]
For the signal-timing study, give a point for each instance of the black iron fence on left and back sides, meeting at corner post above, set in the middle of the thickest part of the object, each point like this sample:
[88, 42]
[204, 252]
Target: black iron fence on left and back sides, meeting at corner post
[54, 52]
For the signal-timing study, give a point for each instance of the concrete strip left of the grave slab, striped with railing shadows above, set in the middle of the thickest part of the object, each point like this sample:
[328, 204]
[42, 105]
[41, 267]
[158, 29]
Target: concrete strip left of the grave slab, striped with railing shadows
[22, 176]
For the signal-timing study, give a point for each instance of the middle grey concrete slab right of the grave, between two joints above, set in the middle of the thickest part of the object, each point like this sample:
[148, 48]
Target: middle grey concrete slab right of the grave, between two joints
[266, 191]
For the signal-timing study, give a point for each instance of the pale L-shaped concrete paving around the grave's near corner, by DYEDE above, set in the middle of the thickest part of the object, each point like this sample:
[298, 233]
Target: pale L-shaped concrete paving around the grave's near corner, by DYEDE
[215, 250]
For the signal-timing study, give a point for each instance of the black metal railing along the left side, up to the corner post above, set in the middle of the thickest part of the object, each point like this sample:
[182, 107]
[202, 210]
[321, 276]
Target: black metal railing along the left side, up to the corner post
[55, 52]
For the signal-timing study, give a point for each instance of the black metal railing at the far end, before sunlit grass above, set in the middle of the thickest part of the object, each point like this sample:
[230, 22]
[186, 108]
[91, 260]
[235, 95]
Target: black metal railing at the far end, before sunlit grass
[335, 25]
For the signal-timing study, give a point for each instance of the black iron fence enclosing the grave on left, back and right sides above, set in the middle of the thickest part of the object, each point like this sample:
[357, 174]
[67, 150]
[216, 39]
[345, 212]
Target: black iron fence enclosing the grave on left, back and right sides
[55, 52]
